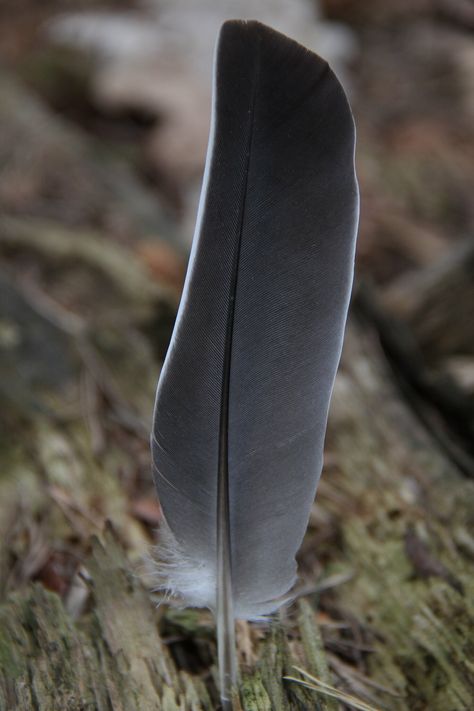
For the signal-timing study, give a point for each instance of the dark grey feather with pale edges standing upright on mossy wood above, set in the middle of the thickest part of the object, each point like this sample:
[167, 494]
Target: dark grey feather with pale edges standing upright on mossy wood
[243, 397]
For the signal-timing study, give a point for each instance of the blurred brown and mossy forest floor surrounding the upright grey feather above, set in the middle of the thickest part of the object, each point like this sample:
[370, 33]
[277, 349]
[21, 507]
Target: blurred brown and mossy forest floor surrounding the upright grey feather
[100, 167]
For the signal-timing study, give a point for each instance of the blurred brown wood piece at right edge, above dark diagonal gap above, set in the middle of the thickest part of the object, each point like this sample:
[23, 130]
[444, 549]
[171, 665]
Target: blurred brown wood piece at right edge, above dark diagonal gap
[427, 327]
